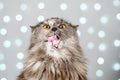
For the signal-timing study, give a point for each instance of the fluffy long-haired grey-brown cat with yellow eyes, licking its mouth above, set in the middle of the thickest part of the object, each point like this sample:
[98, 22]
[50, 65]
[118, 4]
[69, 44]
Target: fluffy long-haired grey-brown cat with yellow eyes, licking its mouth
[54, 53]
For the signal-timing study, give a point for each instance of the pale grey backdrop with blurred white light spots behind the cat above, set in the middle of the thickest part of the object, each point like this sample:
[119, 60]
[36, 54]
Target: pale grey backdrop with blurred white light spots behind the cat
[99, 32]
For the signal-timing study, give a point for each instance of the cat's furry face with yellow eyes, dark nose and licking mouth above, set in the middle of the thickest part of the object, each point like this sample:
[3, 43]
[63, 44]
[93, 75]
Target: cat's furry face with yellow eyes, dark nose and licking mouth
[53, 31]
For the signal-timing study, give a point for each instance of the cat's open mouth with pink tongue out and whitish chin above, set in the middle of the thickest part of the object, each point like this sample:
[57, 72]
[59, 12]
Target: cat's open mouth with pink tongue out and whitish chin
[54, 40]
